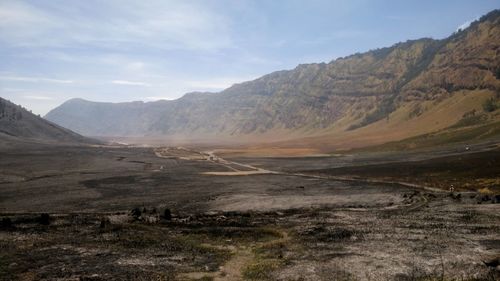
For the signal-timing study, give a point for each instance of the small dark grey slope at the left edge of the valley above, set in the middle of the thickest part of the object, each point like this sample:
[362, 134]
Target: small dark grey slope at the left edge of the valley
[19, 125]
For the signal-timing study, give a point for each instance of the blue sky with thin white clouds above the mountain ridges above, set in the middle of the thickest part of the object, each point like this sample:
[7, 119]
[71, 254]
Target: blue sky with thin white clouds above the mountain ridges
[118, 51]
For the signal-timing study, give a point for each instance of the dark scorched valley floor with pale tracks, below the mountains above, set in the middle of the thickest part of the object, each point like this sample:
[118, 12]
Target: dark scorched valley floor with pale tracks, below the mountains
[99, 213]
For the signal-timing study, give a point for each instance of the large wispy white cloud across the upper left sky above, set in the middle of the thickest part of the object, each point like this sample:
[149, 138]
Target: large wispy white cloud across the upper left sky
[117, 24]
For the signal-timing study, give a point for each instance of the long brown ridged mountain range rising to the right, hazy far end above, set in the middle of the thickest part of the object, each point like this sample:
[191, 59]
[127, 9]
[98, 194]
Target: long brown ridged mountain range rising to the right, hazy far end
[408, 89]
